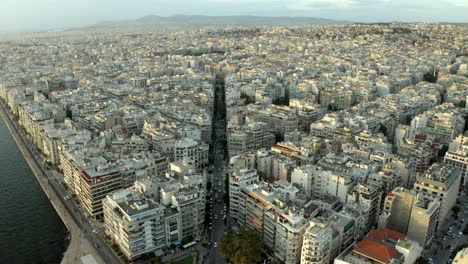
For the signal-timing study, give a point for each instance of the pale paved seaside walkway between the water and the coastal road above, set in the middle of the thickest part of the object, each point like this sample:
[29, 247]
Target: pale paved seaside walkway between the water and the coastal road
[78, 245]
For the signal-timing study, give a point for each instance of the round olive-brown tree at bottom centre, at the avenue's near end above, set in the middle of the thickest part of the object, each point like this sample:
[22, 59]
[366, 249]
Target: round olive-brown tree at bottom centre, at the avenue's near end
[241, 248]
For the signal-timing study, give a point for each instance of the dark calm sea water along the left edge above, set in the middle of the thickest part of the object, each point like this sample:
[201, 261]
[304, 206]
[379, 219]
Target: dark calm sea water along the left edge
[30, 229]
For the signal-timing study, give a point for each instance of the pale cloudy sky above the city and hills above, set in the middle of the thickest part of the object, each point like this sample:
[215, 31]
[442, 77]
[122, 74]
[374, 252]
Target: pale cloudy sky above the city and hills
[30, 15]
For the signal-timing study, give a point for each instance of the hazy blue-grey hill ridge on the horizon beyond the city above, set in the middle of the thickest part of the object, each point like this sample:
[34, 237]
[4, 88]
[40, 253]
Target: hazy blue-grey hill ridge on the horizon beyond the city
[206, 21]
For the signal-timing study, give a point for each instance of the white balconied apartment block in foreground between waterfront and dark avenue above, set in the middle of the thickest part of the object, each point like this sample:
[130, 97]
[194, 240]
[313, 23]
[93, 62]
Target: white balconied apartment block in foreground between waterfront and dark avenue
[157, 212]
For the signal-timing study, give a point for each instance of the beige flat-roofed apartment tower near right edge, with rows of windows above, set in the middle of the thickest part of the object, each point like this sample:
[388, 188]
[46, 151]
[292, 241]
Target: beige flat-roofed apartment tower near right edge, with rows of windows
[440, 182]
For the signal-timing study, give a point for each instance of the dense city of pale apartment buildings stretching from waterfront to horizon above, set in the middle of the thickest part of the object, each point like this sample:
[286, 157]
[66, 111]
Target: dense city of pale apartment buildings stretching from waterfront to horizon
[312, 144]
